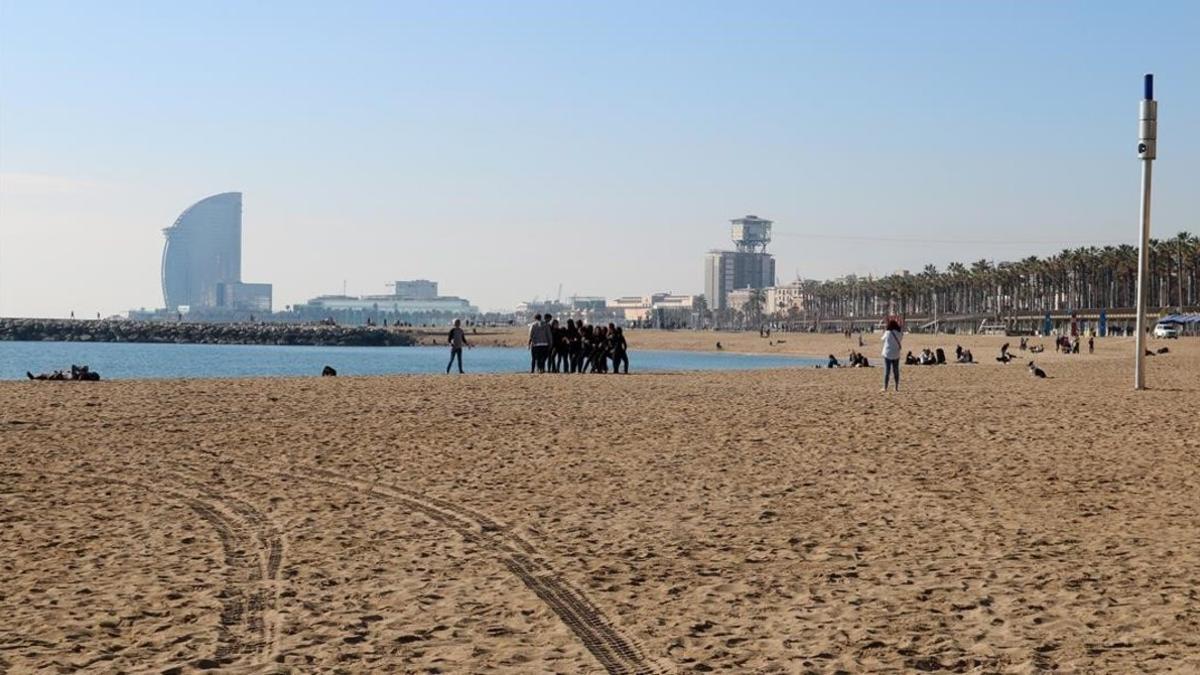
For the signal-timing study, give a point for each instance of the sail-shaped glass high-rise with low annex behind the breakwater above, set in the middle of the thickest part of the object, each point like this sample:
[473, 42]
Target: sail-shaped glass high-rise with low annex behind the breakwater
[202, 260]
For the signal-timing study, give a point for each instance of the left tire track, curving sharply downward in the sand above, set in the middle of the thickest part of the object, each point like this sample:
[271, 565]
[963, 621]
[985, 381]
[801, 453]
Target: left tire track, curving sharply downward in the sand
[244, 630]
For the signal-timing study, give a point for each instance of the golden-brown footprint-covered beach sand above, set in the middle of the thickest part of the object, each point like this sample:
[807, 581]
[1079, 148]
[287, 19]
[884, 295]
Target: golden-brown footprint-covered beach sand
[790, 522]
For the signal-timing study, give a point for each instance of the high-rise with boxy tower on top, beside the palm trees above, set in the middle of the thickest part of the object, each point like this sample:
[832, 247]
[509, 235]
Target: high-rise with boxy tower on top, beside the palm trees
[748, 267]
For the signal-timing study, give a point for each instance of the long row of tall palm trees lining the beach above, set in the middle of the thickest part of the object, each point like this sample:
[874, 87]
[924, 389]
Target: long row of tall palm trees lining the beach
[1076, 279]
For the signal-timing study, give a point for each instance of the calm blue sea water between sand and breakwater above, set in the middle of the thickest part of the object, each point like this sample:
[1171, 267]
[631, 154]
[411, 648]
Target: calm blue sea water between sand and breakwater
[117, 361]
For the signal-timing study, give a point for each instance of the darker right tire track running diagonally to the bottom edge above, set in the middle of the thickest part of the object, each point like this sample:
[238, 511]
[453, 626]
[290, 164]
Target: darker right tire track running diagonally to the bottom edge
[617, 654]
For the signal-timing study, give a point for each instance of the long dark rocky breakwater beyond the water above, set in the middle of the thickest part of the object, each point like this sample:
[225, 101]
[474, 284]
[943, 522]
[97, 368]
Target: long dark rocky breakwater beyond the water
[119, 331]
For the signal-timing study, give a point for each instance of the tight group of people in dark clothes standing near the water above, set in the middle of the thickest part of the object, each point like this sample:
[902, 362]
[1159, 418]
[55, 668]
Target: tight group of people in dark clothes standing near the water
[577, 347]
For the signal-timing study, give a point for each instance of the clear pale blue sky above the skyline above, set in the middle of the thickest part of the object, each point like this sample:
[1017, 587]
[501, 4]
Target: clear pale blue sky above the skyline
[508, 150]
